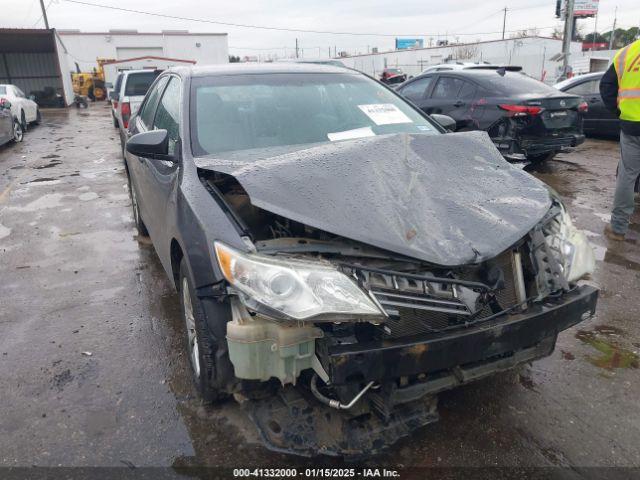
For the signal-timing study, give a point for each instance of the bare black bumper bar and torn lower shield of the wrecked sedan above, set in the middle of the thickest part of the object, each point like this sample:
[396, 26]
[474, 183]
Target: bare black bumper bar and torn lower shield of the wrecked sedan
[294, 422]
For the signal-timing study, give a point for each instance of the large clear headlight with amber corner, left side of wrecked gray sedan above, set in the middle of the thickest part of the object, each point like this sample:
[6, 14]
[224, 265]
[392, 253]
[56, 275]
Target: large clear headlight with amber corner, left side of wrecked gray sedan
[294, 289]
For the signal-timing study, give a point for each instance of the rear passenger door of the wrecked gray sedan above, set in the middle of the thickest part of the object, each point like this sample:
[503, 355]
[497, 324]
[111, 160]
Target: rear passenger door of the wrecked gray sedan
[136, 165]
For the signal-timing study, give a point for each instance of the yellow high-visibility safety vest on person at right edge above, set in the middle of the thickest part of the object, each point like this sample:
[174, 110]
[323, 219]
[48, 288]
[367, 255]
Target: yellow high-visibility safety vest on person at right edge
[627, 65]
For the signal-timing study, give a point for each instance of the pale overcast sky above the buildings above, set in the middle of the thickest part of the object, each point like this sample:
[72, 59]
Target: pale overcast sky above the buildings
[466, 19]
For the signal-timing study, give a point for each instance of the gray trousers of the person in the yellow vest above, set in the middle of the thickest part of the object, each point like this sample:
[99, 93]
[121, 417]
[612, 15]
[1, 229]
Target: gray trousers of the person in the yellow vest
[628, 171]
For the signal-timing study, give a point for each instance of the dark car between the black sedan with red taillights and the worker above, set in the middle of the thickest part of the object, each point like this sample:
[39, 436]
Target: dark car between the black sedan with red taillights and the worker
[598, 120]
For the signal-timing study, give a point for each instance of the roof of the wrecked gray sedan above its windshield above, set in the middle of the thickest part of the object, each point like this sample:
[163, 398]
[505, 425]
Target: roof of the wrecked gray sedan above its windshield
[257, 68]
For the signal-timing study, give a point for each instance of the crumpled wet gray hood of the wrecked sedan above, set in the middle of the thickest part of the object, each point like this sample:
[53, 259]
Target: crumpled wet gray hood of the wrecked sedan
[444, 199]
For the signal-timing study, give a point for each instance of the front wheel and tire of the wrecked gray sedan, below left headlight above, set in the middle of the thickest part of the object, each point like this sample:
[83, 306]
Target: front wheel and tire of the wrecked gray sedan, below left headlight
[199, 344]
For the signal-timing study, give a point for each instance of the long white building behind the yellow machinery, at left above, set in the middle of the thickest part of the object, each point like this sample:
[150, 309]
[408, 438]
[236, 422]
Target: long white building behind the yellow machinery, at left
[85, 47]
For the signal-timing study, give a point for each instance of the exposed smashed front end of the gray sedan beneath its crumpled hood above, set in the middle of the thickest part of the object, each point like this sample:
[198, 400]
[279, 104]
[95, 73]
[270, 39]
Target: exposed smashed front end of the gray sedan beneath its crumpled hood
[421, 328]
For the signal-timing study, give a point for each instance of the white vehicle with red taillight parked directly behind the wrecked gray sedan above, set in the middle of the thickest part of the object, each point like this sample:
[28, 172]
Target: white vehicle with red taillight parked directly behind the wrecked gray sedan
[127, 98]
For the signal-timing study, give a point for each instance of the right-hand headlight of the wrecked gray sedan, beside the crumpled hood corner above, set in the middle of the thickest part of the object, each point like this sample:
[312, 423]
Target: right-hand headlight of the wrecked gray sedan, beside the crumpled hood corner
[571, 247]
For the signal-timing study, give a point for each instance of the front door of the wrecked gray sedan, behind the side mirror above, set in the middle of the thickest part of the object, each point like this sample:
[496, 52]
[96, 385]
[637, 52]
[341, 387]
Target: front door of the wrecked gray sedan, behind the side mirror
[158, 177]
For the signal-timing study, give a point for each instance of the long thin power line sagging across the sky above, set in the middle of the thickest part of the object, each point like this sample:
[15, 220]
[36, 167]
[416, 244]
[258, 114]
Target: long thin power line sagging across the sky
[281, 29]
